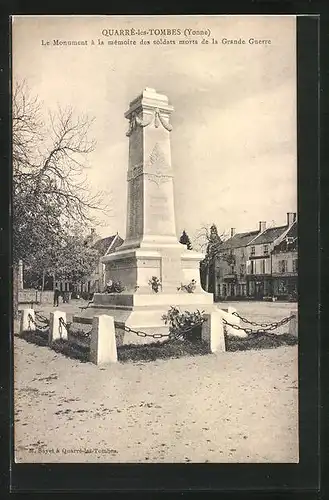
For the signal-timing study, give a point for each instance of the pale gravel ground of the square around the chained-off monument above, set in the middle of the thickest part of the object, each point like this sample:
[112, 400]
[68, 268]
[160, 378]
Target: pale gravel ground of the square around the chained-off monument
[229, 407]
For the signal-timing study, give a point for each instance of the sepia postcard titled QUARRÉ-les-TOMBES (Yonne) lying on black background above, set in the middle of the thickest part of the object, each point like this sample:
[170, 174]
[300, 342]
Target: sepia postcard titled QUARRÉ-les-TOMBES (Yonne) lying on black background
[155, 239]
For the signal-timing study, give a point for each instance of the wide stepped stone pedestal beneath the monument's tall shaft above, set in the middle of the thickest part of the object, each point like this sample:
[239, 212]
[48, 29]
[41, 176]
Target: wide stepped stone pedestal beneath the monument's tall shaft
[141, 308]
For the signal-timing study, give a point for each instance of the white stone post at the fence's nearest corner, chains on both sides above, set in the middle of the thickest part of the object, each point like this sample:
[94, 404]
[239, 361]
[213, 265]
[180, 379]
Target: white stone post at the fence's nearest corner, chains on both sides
[103, 348]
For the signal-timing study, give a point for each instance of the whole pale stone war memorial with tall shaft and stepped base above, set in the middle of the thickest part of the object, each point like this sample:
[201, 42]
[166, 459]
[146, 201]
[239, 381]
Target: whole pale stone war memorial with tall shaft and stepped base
[151, 250]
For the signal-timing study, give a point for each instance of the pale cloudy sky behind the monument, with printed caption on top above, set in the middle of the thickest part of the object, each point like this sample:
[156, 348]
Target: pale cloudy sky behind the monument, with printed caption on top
[234, 150]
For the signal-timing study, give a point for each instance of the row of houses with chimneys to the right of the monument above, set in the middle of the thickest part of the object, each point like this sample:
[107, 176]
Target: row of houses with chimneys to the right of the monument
[244, 265]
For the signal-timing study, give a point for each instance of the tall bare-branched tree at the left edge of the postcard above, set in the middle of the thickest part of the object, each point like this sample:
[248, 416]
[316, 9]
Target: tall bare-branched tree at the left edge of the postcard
[50, 186]
